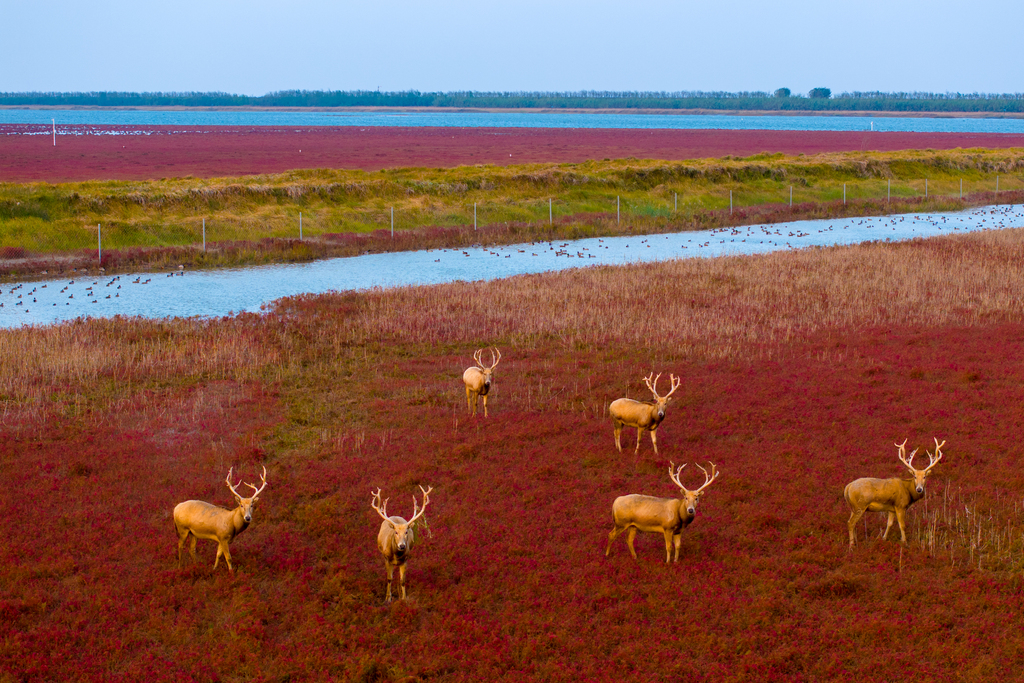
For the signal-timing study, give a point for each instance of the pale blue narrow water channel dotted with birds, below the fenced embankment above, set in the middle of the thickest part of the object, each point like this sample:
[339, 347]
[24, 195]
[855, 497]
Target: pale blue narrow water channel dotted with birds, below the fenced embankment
[236, 290]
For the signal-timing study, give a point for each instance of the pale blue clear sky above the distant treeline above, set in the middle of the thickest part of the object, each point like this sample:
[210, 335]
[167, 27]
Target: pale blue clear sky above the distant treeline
[259, 47]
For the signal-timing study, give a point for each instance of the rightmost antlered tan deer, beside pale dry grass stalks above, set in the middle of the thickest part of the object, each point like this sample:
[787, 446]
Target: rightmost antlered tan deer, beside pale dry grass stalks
[892, 496]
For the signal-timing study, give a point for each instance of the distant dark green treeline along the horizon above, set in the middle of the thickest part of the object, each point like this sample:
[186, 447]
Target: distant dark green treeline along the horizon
[820, 100]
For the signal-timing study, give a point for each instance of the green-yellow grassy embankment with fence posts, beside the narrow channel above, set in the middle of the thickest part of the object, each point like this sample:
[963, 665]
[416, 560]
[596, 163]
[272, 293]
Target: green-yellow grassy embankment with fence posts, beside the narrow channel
[257, 220]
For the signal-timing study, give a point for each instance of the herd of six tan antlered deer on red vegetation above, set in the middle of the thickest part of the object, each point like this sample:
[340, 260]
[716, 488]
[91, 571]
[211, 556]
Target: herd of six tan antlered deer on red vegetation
[668, 517]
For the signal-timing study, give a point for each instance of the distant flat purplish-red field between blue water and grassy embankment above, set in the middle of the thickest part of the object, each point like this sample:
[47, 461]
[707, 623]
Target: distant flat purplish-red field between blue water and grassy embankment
[211, 152]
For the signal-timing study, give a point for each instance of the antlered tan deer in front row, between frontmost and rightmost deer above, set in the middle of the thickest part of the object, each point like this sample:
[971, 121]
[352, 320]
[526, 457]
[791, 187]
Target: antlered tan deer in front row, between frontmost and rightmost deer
[666, 516]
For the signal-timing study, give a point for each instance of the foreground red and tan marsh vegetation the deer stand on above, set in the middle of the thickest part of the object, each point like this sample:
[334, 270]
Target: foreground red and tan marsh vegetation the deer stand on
[799, 373]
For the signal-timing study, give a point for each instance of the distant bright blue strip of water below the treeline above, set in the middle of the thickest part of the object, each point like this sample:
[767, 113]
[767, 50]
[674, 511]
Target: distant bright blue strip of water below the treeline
[195, 118]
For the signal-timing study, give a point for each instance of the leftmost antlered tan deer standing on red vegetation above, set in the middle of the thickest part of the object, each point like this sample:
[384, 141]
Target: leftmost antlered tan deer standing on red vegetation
[203, 521]
